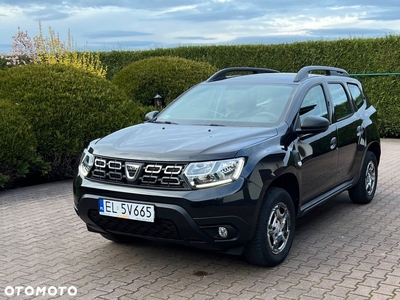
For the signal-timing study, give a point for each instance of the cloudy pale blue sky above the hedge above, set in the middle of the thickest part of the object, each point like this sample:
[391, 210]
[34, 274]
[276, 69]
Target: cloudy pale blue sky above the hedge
[105, 25]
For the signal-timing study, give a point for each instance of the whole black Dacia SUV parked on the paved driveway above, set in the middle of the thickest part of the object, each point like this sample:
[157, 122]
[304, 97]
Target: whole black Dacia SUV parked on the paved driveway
[231, 163]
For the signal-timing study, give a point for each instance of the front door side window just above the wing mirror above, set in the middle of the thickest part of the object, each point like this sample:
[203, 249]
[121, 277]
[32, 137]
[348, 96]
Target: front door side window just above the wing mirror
[314, 103]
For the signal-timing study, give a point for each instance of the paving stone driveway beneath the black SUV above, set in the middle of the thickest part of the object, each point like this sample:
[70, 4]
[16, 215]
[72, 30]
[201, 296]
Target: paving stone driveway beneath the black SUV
[341, 251]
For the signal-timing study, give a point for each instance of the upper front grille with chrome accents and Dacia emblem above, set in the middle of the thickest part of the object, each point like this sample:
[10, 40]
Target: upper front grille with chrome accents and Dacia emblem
[163, 175]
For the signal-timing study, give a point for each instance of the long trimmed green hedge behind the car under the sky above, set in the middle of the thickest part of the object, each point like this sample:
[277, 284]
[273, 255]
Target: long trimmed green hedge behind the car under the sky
[355, 55]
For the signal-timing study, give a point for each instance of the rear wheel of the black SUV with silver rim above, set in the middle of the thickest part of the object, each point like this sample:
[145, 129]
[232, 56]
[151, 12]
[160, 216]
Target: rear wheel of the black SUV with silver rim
[363, 192]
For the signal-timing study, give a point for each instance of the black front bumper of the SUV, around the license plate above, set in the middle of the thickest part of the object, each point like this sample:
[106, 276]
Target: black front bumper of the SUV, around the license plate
[189, 217]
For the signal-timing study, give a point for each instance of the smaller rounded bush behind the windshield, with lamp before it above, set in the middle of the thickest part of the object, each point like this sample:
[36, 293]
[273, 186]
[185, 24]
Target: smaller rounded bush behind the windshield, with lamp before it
[167, 76]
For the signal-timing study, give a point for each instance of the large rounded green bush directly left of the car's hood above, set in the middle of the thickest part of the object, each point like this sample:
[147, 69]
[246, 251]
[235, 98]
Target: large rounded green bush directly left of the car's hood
[66, 108]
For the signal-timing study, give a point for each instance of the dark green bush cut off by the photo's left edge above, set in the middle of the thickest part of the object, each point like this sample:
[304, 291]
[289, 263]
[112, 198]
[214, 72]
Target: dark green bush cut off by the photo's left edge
[18, 155]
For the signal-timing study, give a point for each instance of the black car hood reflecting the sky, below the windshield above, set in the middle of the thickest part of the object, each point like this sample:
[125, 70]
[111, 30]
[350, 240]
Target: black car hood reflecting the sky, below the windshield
[170, 142]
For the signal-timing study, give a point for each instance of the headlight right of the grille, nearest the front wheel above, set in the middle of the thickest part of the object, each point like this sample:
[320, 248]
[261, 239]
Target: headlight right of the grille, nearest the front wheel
[213, 173]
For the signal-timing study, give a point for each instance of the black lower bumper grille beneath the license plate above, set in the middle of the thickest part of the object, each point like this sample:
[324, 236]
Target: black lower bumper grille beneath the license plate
[161, 228]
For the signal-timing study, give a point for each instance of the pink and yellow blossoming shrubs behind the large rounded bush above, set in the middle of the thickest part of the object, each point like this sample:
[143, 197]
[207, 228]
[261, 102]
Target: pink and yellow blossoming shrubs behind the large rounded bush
[51, 50]
